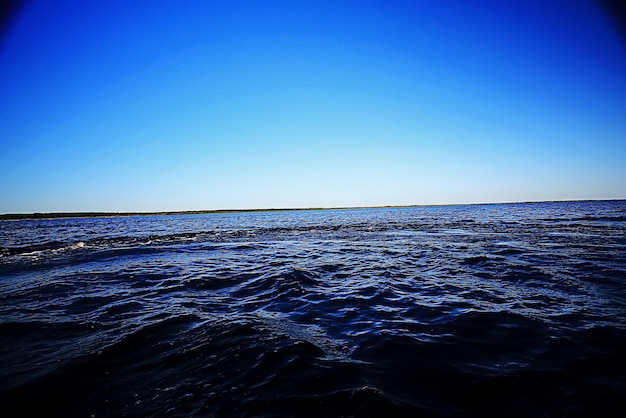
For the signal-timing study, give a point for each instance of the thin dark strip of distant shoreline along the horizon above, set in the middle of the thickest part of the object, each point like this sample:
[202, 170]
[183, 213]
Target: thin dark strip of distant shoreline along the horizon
[61, 215]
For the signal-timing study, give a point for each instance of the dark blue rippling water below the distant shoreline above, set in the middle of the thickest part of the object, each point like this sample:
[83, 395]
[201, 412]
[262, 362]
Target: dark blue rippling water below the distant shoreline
[508, 310]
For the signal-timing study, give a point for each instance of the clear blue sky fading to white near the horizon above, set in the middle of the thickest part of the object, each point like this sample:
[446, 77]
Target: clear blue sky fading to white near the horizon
[193, 105]
